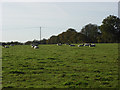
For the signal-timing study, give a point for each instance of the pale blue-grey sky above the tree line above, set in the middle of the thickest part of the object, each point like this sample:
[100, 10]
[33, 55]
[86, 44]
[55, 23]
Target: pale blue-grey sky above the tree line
[21, 21]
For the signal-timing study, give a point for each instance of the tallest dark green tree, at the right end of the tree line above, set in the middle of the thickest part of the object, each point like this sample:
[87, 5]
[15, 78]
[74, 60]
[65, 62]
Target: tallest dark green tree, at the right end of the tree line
[110, 29]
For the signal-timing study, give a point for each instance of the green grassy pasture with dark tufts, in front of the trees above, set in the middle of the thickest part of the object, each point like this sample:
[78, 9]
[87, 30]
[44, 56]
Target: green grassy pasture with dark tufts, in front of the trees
[53, 66]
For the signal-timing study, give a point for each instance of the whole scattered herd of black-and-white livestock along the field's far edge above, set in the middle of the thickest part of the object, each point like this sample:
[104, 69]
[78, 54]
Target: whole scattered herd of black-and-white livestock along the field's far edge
[59, 44]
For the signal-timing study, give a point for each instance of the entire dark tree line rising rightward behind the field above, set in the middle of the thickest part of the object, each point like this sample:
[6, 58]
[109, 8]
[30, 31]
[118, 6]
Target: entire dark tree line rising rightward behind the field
[108, 32]
